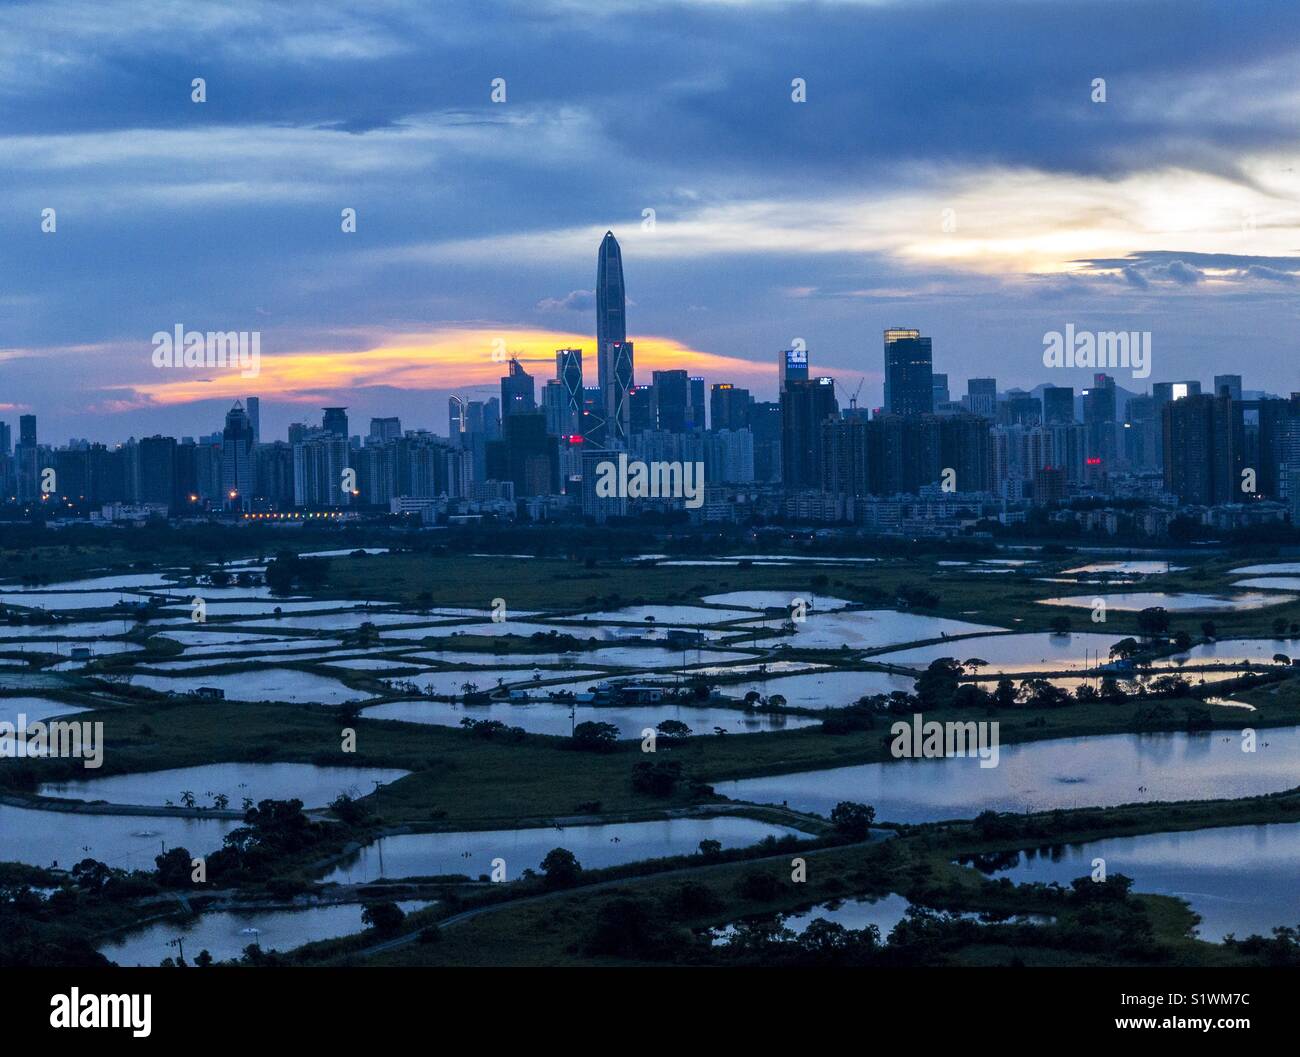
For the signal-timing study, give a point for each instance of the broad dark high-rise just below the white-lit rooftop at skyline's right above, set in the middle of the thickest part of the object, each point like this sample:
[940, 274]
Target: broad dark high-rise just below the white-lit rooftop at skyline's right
[1203, 449]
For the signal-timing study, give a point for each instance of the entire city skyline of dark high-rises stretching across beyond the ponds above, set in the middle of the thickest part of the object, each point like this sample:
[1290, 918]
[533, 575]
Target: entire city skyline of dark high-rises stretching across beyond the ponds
[922, 463]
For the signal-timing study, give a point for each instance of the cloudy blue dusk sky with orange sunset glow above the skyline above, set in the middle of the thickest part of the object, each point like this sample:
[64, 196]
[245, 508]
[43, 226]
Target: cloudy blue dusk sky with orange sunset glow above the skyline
[951, 170]
